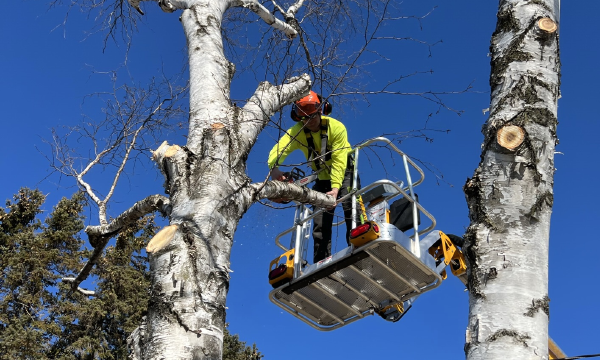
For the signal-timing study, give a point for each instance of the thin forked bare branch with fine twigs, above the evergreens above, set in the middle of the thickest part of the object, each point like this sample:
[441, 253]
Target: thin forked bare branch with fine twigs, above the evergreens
[135, 119]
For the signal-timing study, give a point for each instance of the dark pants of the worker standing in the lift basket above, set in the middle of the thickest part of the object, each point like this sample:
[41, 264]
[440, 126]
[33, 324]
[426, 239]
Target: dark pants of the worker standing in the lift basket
[324, 221]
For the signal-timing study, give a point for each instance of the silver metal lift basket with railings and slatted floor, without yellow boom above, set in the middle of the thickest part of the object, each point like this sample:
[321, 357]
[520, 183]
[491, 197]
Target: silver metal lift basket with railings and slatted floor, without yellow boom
[388, 272]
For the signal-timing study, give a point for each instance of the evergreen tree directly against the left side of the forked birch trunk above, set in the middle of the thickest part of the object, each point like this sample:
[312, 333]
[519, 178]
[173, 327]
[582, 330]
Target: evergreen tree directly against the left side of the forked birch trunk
[104, 321]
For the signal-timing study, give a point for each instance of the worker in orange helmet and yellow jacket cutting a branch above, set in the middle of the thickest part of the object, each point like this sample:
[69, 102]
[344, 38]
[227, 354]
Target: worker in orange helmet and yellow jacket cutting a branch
[313, 129]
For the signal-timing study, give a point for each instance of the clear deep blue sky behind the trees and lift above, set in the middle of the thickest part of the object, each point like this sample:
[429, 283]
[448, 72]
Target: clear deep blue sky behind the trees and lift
[46, 73]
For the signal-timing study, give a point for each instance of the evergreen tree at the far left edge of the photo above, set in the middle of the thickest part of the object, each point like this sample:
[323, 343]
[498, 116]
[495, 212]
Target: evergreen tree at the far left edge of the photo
[33, 258]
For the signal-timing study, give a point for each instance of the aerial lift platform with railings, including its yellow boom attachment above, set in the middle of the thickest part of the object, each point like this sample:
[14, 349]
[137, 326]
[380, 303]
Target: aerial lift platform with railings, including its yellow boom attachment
[384, 269]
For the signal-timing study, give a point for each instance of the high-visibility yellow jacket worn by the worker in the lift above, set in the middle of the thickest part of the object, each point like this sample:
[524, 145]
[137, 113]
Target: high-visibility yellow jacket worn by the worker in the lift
[337, 145]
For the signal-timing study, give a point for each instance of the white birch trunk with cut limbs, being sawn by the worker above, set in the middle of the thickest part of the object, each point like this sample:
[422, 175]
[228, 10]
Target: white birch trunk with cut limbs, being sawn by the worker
[209, 192]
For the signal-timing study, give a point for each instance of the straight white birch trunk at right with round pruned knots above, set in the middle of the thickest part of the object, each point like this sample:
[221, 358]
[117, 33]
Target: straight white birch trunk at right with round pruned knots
[510, 195]
